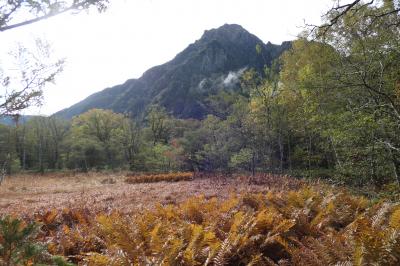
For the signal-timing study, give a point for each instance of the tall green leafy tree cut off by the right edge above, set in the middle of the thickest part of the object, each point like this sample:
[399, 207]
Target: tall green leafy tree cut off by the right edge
[368, 41]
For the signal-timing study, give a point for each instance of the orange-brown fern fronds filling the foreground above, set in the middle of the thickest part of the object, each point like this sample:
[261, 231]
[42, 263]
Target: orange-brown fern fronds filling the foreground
[303, 225]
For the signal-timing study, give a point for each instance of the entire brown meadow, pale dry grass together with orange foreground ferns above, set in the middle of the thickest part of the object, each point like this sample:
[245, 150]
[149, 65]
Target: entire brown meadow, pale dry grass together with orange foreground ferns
[210, 220]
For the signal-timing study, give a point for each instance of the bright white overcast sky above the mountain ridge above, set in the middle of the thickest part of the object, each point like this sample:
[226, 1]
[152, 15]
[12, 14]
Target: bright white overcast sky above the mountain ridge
[106, 49]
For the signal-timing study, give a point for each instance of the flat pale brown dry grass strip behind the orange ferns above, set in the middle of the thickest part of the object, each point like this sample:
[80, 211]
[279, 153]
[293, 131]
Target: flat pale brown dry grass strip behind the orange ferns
[27, 194]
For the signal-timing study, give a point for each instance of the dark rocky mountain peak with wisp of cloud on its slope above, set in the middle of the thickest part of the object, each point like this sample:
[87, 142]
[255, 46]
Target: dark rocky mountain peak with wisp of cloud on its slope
[182, 85]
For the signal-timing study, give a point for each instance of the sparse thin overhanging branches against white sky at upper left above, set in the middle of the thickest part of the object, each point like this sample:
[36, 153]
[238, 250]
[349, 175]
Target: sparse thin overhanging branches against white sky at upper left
[21, 90]
